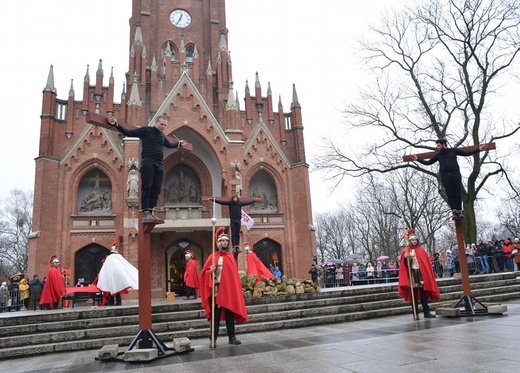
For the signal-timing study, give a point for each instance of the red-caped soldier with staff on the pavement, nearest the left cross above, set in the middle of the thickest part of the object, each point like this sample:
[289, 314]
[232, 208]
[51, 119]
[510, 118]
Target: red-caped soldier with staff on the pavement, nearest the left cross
[228, 289]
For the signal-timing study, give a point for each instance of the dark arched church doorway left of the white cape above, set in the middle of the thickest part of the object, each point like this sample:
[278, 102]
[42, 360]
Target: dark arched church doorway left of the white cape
[88, 261]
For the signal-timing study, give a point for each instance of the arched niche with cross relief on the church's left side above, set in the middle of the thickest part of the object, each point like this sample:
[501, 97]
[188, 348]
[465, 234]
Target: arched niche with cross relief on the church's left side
[95, 193]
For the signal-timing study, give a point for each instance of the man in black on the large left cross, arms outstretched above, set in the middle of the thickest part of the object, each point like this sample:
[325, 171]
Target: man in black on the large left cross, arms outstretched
[153, 141]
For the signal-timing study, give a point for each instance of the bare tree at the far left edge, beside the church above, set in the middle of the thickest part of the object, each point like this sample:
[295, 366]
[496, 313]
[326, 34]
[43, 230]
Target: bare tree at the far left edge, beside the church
[15, 228]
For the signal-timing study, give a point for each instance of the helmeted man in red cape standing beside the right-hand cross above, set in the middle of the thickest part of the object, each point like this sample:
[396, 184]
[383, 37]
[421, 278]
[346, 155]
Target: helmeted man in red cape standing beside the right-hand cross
[424, 284]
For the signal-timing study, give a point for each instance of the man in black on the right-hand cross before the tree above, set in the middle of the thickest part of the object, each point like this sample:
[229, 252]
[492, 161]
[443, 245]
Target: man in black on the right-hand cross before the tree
[450, 172]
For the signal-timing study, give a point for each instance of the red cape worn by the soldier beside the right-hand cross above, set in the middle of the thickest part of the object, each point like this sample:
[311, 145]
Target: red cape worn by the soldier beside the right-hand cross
[430, 284]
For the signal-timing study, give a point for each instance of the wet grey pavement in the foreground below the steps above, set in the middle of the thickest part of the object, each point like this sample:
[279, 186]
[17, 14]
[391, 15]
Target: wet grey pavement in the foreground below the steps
[387, 344]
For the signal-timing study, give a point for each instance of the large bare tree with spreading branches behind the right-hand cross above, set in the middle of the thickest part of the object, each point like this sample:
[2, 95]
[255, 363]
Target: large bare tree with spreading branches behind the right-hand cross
[438, 67]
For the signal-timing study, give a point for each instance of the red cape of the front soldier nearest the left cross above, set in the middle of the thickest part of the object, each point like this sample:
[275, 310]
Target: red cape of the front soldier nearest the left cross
[230, 294]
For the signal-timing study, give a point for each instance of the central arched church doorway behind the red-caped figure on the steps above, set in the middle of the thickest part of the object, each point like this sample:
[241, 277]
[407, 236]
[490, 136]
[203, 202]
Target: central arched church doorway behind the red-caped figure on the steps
[177, 264]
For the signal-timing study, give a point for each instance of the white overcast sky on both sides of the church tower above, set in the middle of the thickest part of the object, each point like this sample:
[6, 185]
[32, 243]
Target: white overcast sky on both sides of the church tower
[308, 43]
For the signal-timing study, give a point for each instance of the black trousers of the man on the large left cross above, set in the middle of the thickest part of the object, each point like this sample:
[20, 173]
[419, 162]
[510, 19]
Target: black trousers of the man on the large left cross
[151, 182]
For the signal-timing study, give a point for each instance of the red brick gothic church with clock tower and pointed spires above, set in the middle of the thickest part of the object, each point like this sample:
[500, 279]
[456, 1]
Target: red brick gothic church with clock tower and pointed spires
[85, 195]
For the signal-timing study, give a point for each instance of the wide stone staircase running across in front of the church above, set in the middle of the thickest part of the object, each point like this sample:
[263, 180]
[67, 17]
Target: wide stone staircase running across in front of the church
[44, 332]
